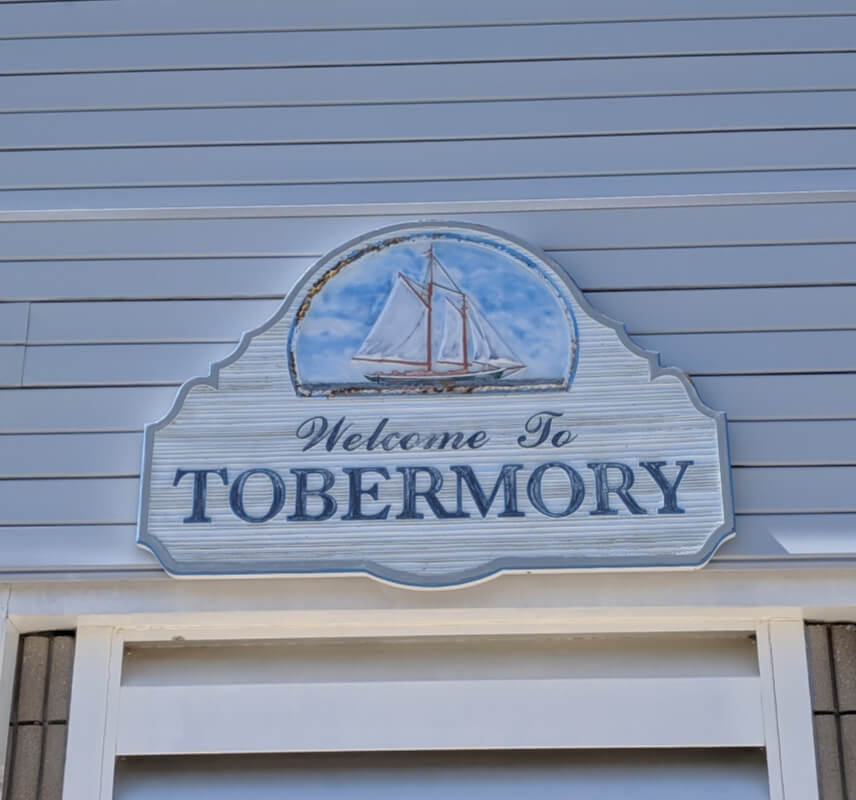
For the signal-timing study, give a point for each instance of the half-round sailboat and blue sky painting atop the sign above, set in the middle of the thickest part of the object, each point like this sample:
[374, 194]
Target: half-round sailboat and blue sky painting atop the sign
[433, 312]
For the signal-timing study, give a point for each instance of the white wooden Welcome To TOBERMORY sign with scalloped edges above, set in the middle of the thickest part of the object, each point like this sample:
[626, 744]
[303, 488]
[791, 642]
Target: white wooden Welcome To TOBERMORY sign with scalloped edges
[432, 404]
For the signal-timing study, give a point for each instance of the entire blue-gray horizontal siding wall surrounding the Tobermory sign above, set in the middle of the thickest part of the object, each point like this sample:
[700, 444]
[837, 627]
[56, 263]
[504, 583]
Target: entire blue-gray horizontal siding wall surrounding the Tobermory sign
[228, 145]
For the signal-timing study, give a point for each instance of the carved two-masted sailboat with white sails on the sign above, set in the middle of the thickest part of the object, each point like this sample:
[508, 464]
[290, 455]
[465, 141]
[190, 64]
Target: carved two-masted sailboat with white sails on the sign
[470, 351]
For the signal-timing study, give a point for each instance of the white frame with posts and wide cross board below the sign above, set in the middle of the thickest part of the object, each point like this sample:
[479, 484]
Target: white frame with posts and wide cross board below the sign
[770, 710]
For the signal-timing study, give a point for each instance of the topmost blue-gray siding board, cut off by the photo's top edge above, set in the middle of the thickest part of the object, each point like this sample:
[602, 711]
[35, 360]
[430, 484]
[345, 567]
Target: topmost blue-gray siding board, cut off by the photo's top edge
[138, 16]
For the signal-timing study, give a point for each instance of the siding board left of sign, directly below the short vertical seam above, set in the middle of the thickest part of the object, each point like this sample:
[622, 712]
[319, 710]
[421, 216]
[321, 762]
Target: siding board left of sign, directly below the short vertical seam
[115, 408]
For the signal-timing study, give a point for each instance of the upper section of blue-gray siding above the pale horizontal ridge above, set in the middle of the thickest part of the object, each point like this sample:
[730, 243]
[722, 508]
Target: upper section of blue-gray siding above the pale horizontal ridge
[360, 111]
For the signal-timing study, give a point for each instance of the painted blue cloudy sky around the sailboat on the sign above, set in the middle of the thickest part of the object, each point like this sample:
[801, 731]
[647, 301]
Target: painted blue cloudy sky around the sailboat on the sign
[518, 300]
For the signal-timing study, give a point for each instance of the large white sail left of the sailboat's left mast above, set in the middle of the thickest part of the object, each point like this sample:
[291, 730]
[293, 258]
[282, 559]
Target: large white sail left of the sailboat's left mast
[401, 330]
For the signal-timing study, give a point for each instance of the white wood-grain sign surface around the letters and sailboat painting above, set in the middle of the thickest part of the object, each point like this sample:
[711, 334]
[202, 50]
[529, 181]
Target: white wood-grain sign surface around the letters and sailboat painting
[621, 407]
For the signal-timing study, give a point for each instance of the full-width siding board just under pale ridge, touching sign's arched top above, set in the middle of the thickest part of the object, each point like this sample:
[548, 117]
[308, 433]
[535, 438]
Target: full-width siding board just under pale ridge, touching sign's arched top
[289, 233]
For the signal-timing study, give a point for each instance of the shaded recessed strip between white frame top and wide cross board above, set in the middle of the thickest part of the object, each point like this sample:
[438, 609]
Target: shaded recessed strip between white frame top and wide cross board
[440, 658]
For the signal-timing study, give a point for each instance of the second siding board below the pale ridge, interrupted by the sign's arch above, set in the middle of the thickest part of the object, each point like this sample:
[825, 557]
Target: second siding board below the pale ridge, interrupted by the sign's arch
[595, 271]
